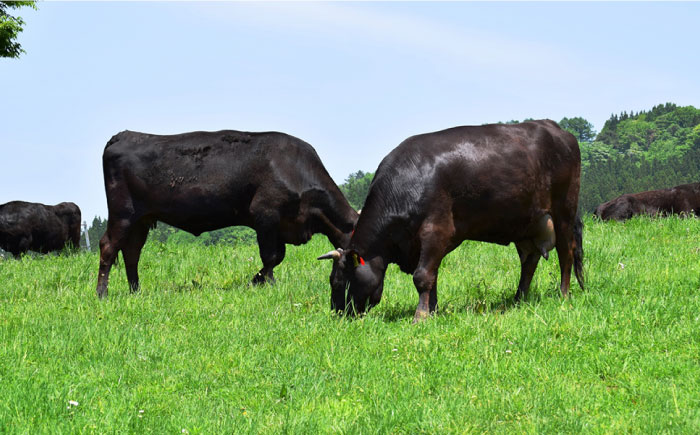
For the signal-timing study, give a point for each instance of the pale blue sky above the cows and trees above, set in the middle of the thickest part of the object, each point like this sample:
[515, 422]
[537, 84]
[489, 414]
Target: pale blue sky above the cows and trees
[352, 79]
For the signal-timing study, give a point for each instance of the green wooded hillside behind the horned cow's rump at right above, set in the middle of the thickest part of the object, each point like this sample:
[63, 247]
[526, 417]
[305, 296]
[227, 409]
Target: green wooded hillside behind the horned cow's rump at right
[638, 152]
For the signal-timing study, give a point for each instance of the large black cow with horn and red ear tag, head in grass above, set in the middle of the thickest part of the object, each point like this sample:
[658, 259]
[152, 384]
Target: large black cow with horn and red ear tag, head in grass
[493, 183]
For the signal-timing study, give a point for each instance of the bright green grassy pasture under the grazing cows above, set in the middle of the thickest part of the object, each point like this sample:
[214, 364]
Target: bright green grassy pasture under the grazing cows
[199, 351]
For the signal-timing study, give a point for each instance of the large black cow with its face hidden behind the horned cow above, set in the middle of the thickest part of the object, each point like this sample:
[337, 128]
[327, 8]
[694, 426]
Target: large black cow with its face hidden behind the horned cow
[203, 181]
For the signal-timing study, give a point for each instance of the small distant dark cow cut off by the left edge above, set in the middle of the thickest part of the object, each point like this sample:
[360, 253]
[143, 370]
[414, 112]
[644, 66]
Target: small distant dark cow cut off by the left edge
[26, 226]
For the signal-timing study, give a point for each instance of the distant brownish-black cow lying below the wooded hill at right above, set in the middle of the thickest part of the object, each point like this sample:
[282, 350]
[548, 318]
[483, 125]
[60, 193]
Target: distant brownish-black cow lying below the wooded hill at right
[680, 199]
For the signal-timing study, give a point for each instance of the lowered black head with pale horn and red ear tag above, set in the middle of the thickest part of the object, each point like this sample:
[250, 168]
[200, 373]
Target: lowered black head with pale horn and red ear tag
[356, 284]
